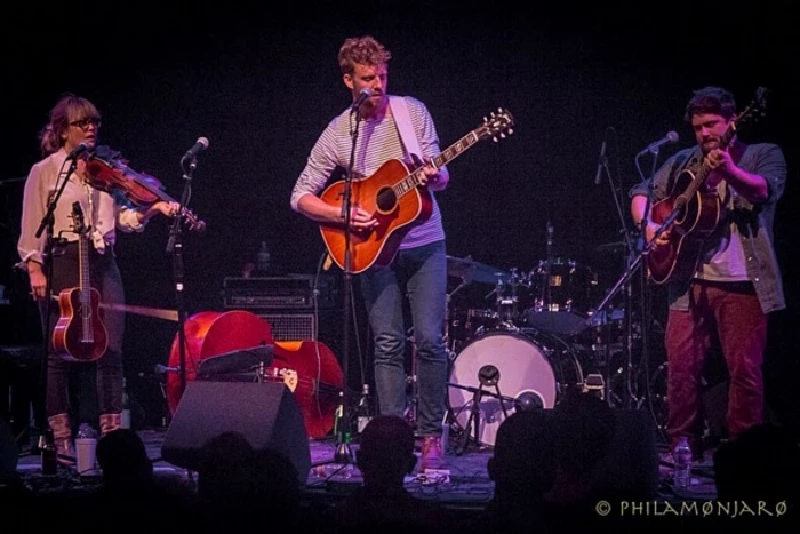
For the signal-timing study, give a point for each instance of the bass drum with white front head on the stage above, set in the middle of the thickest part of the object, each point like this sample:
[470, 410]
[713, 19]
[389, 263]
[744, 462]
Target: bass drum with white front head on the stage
[534, 372]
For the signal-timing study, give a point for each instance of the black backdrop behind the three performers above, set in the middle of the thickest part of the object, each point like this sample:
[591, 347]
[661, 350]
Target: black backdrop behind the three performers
[261, 84]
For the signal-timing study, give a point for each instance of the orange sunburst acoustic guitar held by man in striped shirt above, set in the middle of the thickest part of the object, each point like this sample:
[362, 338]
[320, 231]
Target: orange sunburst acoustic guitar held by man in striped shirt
[396, 197]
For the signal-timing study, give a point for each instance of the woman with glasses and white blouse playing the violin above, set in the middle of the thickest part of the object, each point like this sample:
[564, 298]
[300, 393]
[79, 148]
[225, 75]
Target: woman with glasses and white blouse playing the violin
[73, 121]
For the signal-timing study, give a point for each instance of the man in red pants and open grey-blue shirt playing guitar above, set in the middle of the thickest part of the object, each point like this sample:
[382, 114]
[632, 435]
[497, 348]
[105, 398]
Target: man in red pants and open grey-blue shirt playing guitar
[734, 279]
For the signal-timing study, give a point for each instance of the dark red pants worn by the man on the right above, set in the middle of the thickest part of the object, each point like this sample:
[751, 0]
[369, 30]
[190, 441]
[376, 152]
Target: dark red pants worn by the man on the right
[727, 312]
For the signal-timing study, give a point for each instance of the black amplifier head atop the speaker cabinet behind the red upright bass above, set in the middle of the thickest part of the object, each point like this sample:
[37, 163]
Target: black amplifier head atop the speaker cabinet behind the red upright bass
[294, 292]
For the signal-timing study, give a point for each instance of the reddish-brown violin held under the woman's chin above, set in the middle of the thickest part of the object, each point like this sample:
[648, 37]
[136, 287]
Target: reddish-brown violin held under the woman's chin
[107, 171]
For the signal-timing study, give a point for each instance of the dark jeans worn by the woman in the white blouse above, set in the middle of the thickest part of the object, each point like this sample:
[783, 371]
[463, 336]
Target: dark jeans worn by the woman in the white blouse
[105, 277]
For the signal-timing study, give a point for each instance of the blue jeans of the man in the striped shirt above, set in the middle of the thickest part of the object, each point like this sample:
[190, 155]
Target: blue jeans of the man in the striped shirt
[424, 269]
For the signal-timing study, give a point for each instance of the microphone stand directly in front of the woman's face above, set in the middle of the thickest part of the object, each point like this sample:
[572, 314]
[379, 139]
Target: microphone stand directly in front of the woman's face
[48, 223]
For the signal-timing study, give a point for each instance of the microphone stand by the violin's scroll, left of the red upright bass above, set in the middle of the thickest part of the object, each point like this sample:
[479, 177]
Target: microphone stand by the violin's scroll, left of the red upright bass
[175, 247]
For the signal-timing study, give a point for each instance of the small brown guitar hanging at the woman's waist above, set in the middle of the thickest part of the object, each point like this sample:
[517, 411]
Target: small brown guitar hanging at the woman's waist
[80, 334]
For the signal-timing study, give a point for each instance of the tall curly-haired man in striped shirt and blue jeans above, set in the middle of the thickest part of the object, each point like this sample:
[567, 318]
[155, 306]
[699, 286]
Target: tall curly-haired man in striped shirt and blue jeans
[391, 127]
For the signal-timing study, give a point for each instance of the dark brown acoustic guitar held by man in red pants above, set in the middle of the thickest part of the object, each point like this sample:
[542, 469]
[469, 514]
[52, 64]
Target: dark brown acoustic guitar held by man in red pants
[695, 210]
